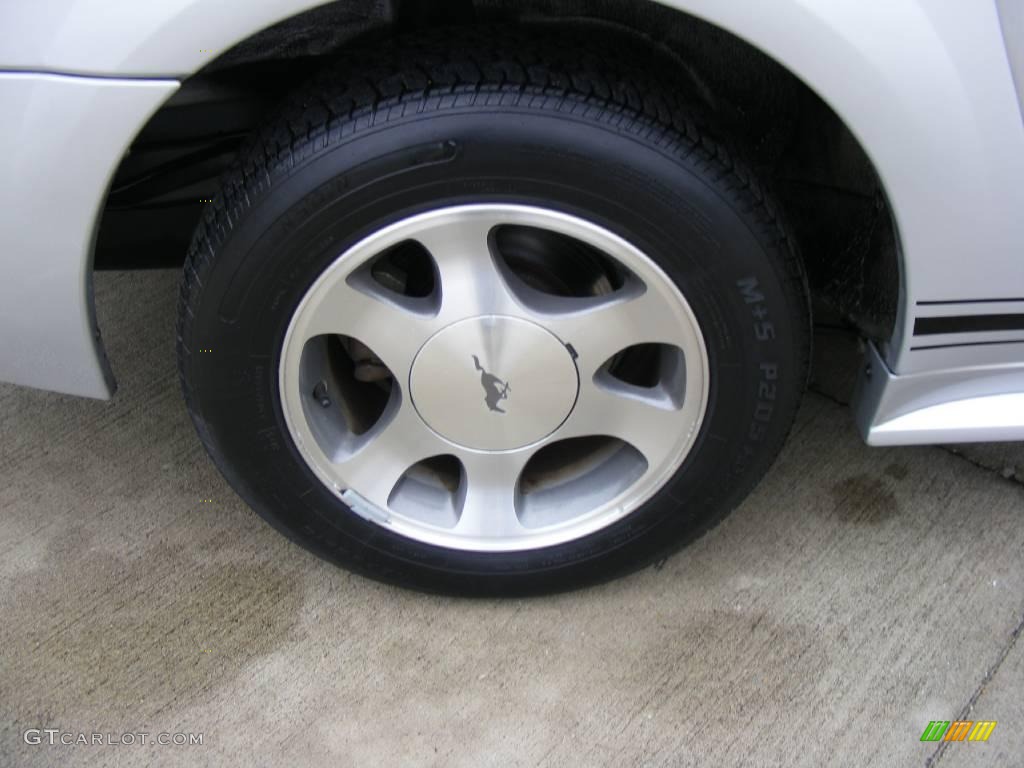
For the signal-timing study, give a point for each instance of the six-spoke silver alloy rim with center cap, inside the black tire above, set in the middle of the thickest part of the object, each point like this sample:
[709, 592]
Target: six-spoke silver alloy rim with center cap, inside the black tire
[501, 379]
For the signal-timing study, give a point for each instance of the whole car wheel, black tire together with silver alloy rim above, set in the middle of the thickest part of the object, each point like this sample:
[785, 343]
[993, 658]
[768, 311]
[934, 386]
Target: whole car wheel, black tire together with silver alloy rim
[490, 314]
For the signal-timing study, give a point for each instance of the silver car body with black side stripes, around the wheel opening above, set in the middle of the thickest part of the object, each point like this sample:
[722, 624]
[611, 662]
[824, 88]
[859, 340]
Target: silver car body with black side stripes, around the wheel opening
[931, 89]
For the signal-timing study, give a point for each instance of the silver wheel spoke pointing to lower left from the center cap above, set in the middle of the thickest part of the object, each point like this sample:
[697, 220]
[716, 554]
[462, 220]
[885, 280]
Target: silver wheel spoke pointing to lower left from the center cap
[386, 453]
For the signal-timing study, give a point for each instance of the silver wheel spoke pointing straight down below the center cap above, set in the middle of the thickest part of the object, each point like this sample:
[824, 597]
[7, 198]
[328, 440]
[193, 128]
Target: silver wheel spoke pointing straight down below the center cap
[488, 503]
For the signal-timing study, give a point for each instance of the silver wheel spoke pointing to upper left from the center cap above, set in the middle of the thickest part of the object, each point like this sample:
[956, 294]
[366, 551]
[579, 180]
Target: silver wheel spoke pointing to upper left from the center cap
[391, 329]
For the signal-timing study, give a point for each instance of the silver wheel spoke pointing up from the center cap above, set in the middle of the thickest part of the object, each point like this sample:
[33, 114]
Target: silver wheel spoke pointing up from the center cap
[471, 281]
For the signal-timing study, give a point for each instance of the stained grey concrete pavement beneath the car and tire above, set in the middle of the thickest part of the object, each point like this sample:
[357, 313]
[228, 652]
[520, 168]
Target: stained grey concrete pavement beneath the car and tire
[859, 594]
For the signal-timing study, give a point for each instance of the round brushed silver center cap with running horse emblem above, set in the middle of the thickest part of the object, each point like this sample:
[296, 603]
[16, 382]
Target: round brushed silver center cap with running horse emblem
[494, 383]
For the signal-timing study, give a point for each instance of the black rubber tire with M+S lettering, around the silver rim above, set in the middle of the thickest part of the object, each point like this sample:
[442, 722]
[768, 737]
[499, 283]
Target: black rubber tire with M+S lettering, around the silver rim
[491, 117]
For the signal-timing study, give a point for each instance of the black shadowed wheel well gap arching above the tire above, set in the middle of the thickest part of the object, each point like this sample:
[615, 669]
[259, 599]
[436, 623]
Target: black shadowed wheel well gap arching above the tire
[800, 148]
